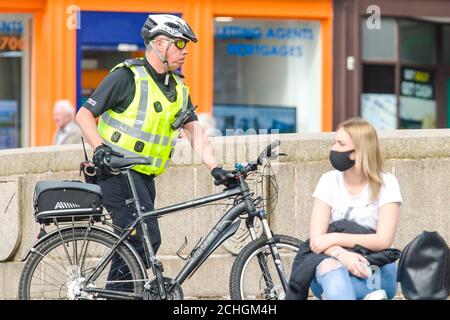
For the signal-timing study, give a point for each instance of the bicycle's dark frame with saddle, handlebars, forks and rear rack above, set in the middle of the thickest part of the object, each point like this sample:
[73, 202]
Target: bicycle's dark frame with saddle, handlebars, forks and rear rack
[228, 224]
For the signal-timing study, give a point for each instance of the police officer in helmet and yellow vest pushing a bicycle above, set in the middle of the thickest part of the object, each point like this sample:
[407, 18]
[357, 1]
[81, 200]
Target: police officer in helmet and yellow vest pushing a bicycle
[138, 103]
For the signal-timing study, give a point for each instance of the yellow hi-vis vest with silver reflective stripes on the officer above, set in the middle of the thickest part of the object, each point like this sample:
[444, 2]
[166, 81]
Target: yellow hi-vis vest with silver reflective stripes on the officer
[143, 129]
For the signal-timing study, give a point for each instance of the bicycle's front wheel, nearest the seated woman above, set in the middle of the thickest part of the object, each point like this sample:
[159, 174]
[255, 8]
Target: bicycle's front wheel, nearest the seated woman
[254, 274]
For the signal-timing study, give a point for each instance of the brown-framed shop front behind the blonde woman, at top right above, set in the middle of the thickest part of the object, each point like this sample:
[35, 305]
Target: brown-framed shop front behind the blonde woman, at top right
[393, 67]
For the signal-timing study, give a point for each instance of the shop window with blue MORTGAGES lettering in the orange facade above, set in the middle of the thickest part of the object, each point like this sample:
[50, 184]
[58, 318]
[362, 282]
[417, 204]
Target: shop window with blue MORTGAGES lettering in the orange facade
[267, 75]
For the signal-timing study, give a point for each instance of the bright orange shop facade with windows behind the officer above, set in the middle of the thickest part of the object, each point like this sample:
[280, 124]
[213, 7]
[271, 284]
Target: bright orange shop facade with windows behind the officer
[258, 65]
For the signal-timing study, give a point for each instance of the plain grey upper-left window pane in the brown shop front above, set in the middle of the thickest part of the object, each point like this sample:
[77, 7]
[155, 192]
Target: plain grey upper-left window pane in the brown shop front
[379, 44]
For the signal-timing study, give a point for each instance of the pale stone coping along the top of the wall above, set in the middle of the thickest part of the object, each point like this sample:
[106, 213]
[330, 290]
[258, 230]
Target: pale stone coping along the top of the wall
[305, 147]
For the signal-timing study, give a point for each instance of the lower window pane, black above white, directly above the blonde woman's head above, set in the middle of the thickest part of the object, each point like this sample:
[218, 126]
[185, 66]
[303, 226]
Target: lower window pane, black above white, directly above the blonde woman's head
[378, 100]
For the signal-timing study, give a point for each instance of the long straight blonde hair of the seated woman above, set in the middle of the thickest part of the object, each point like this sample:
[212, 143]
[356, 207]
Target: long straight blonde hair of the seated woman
[367, 151]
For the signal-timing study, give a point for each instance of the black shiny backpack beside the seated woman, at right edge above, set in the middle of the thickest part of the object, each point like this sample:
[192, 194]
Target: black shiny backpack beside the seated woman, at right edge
[424, 268]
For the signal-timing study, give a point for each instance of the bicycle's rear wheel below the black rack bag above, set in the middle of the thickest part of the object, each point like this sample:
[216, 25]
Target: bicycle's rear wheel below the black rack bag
[57, 268]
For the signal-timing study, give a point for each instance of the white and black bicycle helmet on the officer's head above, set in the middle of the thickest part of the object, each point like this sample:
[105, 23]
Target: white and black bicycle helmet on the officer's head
[167, 24]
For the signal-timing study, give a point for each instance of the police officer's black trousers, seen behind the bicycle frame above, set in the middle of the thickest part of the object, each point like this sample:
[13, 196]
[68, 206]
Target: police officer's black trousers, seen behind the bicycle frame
[115, 192]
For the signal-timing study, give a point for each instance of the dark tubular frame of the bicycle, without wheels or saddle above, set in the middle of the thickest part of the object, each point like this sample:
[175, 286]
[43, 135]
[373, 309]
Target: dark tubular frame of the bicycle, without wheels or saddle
[223, 229]
